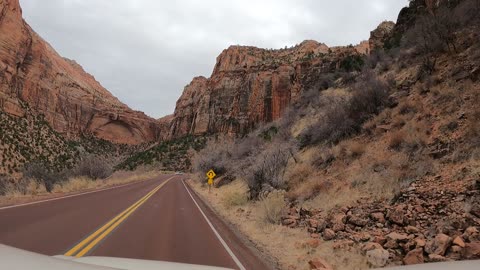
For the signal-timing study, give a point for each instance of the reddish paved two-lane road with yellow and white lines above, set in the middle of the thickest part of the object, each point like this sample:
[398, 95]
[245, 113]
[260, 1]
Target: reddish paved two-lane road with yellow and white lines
[160, 219]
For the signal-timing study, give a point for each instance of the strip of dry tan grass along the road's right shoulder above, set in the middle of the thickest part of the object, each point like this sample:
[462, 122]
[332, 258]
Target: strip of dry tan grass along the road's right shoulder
[282, 245]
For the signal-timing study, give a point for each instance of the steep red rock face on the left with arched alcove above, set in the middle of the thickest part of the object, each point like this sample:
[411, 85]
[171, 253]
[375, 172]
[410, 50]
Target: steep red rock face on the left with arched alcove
[72, 101]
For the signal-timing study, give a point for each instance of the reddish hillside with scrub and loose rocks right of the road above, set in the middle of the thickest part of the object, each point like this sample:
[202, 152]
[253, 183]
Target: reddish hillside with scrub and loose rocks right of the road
[383, 163]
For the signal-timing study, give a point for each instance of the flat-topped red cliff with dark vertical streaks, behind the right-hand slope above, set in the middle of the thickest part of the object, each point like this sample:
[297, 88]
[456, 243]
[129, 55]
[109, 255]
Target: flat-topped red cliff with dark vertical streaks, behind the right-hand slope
[249, 86]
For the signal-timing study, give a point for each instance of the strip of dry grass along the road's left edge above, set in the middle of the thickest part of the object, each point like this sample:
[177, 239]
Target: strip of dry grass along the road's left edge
[32, 190]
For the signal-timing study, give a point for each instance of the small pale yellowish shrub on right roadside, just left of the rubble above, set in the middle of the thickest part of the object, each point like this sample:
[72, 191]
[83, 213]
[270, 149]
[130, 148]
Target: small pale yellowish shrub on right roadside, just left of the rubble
[272, 207]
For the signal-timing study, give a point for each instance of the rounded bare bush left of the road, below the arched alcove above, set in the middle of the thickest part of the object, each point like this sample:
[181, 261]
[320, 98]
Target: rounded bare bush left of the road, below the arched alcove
[93, 167]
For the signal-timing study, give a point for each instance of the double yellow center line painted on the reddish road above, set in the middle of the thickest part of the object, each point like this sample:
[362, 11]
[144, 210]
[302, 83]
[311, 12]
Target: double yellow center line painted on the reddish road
[93, 239]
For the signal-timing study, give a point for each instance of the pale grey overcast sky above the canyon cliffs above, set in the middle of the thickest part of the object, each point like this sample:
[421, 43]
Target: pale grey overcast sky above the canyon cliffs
[146, 51]
